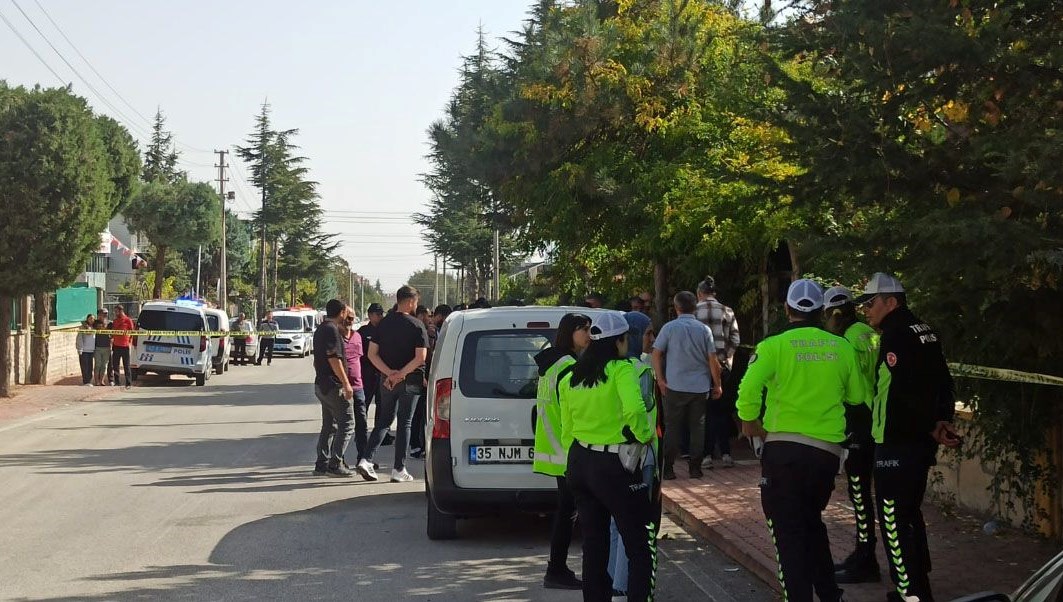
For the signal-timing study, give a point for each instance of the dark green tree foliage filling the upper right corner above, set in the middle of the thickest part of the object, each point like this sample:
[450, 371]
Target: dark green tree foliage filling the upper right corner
[931, 136]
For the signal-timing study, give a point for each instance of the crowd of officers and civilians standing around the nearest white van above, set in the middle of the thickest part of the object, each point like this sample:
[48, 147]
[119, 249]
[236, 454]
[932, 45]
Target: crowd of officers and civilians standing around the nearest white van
[622, 397]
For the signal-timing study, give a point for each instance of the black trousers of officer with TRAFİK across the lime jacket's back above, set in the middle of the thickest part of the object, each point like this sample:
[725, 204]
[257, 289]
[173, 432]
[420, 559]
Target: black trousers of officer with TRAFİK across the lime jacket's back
[796, 486]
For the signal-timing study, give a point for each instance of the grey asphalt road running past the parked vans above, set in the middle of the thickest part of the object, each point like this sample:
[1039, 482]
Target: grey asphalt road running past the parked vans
[172, 491]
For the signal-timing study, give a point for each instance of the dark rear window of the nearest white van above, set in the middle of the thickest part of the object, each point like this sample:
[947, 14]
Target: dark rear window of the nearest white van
[502, 363]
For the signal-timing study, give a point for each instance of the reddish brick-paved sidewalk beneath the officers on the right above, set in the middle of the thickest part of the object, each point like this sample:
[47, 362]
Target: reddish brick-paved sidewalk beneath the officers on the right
[724, 508]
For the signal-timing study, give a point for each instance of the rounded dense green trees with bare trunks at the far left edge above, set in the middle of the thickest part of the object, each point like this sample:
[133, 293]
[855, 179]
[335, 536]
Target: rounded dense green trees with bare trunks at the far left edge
[58, 178]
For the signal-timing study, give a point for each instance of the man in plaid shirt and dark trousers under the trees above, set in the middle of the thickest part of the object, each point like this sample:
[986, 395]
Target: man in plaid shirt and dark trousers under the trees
[725, 335]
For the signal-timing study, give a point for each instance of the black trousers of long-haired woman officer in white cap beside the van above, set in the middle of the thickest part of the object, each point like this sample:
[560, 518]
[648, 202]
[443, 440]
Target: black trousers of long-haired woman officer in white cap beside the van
[603, 489]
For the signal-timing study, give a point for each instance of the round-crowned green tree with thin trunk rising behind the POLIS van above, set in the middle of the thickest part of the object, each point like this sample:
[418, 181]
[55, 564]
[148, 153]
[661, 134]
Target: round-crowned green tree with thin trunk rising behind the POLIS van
[175, 216]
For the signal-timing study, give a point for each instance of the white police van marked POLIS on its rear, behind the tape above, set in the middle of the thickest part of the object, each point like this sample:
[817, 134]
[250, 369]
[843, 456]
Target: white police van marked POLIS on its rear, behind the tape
[167, 355]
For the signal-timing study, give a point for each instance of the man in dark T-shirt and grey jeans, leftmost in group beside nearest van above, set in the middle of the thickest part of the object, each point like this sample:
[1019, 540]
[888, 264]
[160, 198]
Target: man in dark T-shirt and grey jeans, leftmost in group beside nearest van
[334, 391]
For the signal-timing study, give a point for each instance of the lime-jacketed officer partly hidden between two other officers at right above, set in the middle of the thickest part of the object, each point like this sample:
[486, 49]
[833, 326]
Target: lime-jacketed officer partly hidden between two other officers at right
[841, 320]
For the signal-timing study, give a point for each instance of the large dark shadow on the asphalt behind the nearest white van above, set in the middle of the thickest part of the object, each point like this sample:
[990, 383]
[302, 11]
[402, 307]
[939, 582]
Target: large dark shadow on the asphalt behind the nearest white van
[363, 548]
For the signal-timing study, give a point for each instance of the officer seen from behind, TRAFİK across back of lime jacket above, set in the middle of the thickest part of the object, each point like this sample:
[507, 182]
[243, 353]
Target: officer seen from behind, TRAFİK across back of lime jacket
[809, 375]
